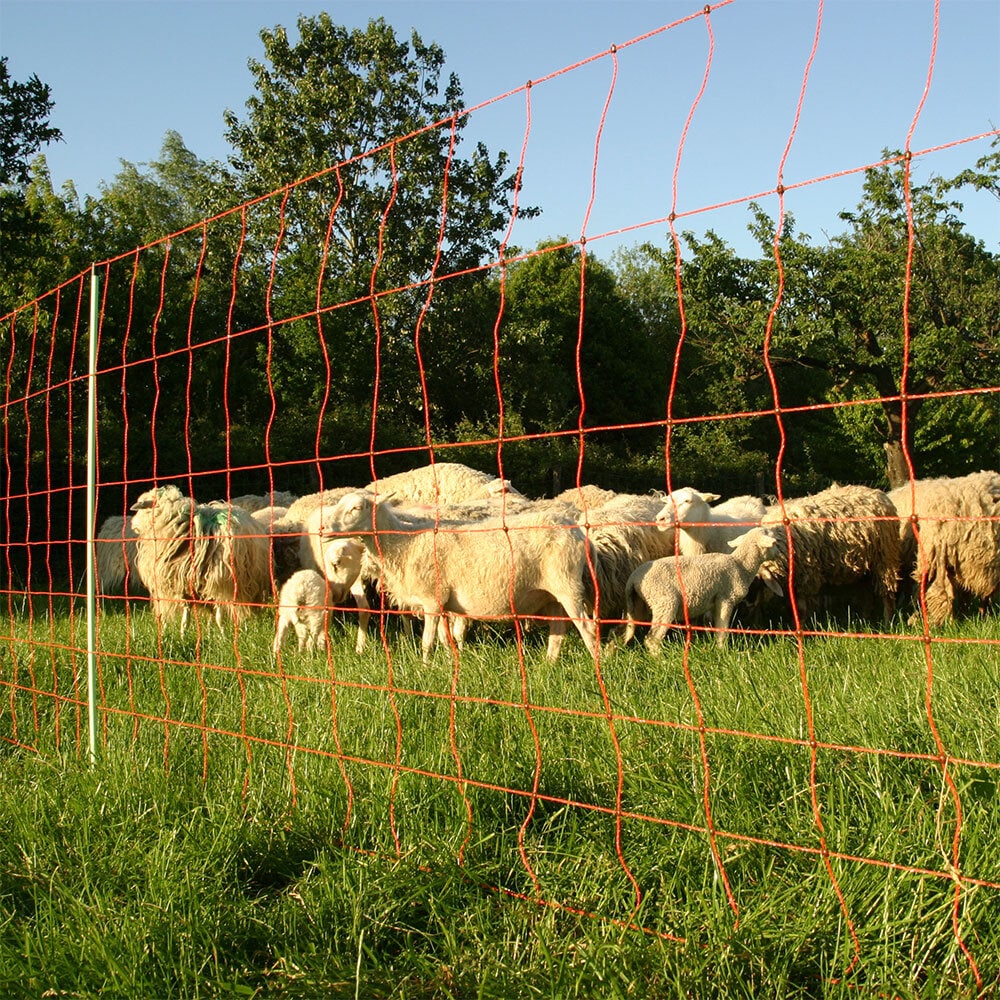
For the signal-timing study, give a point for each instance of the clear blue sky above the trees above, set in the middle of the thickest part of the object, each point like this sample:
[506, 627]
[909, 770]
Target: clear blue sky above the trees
[123, 73]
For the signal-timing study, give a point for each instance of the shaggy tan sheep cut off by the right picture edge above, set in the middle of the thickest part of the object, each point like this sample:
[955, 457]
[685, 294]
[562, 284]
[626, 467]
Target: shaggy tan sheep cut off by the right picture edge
[959, 538]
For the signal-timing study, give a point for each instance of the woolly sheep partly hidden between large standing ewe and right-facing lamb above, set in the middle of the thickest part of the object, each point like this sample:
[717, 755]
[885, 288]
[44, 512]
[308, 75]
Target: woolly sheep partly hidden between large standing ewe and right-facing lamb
[623, 534]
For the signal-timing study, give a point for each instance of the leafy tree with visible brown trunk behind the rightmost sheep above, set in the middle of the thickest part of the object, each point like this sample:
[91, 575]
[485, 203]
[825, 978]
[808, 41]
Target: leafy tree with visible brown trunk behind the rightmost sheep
[951, 332]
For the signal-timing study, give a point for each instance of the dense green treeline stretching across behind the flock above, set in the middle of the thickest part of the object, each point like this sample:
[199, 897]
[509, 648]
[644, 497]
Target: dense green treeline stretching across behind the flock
[280, 344]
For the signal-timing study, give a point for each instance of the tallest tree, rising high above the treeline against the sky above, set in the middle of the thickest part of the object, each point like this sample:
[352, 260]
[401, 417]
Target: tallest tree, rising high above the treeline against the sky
[392, 203]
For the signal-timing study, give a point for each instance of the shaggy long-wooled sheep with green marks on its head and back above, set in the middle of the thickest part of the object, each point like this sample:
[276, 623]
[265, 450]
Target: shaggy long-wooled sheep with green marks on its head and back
[187, 552]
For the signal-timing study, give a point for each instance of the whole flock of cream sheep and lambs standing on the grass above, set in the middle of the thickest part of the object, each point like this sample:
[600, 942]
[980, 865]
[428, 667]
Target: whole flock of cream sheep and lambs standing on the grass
[450, 544]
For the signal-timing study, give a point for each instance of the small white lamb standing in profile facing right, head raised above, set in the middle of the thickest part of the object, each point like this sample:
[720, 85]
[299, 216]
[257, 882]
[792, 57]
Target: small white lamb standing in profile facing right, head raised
[709, 584]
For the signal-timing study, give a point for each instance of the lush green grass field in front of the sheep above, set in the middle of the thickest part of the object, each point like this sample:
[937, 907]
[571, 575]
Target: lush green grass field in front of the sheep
[347, 827]
